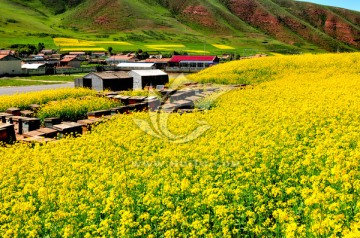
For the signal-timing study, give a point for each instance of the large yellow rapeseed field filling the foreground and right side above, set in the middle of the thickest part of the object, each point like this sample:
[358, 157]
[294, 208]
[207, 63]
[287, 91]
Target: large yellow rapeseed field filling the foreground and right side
[278, 159]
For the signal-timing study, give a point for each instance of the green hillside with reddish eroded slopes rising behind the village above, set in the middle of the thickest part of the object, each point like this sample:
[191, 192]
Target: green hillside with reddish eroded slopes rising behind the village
[261, 24]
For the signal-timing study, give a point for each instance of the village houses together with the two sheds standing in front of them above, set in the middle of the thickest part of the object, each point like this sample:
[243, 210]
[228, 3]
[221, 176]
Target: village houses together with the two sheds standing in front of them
[102, 71]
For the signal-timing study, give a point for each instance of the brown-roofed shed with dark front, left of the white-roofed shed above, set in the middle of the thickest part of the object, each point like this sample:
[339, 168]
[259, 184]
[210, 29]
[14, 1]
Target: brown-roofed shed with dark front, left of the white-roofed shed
[114, 81]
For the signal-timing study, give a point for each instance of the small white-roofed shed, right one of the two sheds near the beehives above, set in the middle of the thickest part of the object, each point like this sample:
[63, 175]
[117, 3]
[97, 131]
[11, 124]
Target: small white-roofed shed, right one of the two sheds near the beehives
[144, 78]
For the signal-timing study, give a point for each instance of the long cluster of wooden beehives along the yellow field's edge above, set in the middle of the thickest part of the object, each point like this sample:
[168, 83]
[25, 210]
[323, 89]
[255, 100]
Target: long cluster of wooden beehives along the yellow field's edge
[21, 125]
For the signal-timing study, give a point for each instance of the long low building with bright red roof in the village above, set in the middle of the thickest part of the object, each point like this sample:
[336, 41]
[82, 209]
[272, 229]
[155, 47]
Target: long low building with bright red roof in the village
[191, 63]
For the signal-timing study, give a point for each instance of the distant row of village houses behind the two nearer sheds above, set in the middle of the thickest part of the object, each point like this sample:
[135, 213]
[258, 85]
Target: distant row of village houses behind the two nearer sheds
[48, 62]
